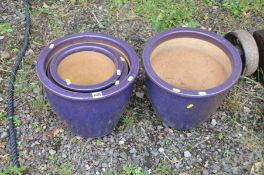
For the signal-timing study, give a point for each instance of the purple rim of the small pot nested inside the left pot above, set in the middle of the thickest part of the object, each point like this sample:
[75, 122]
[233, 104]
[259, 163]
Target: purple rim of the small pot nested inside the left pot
[108, 52]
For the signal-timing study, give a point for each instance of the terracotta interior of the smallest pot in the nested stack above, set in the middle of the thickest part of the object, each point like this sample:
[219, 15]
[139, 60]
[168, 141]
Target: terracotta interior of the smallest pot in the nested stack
[86, 68]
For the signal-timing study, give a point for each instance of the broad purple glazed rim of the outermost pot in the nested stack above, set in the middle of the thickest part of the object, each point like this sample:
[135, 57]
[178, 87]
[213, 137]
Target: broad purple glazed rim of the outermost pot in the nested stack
[87, 37]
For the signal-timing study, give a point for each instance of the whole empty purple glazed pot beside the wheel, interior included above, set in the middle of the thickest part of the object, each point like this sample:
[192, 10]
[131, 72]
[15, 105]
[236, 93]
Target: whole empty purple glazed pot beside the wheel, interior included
[189, 72]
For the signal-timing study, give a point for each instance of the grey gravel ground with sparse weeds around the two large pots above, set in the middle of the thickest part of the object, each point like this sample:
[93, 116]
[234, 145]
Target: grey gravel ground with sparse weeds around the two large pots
[230, 142]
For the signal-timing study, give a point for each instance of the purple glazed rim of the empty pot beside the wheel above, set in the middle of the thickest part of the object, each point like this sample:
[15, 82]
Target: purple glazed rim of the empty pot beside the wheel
[213, 38]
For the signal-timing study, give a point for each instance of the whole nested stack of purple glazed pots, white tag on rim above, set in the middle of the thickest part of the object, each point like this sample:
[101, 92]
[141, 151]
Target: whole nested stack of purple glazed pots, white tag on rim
[88, 79]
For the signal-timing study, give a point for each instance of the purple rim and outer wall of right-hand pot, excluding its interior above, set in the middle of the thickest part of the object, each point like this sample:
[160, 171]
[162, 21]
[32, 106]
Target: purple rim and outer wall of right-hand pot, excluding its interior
[186, 109]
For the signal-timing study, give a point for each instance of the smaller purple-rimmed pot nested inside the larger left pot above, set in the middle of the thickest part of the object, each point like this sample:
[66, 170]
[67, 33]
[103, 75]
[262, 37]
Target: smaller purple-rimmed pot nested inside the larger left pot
[86, 67]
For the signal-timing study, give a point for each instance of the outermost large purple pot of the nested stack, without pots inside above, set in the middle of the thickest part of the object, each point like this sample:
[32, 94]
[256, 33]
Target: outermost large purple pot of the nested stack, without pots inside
[92, 114]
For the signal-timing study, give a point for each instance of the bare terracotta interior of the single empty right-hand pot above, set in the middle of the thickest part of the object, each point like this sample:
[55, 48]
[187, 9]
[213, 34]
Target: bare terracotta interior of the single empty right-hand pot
[191, 63]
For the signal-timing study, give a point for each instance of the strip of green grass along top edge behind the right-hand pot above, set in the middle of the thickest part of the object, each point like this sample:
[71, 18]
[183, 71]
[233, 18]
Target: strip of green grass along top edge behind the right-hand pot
[190, 13]
